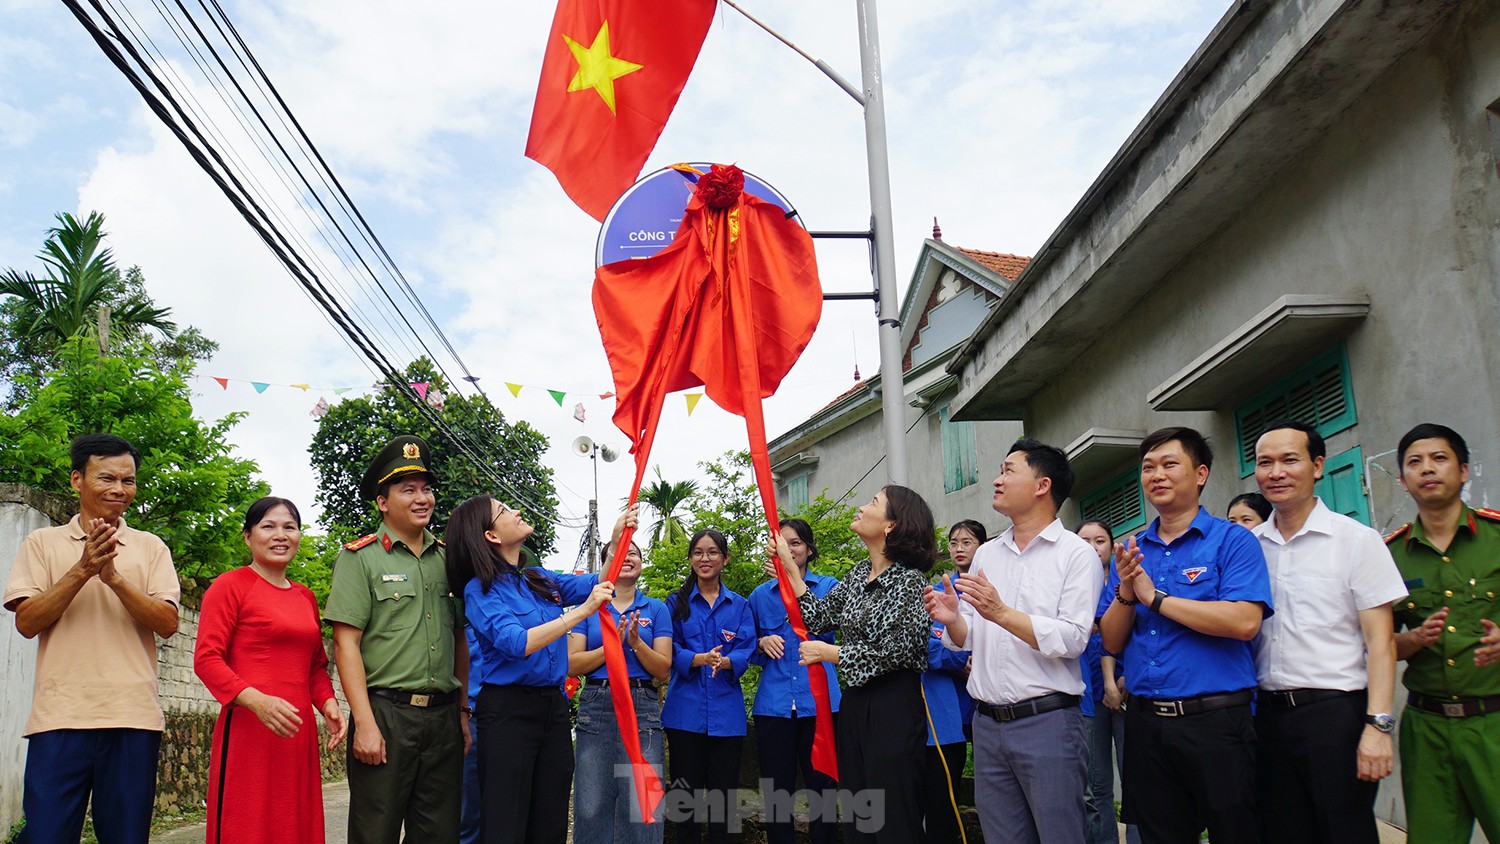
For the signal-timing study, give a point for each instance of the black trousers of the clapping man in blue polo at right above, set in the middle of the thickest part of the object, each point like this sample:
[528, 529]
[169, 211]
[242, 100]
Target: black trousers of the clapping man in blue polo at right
[1192, 773]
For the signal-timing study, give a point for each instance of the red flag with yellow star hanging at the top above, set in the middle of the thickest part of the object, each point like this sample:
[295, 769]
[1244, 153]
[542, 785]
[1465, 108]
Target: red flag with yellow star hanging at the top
[611, 76]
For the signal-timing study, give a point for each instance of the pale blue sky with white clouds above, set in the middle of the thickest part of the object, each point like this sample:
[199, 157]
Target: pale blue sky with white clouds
[1000, 116]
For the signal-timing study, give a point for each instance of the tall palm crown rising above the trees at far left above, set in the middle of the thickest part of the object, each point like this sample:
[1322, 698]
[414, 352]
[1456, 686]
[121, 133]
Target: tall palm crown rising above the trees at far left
[80, 278]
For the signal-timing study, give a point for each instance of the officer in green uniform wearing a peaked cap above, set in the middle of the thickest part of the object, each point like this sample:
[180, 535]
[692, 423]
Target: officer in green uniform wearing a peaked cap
[398, 641]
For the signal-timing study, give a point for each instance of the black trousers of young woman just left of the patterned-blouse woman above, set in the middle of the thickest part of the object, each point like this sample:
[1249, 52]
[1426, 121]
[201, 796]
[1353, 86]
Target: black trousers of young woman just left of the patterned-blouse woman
[784, 746]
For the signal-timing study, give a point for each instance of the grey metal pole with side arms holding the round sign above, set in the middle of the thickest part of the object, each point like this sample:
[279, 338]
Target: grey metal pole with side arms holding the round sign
[893, 407]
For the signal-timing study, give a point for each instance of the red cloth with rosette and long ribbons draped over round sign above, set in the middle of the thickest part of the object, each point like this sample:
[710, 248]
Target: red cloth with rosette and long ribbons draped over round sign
[728, 307]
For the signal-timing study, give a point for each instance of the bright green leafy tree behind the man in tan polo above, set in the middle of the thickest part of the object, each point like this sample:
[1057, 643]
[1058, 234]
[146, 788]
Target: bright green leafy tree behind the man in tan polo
[193, 489]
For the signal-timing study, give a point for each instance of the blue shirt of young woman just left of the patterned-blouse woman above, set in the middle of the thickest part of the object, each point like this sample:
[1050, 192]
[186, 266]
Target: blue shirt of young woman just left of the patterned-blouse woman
[785, 686]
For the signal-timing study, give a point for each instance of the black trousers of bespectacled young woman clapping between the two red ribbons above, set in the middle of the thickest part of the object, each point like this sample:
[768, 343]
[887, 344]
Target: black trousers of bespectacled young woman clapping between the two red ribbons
[712, 765]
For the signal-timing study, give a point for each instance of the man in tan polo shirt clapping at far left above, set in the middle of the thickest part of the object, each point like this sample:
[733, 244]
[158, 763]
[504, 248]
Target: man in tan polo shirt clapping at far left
[95, 594]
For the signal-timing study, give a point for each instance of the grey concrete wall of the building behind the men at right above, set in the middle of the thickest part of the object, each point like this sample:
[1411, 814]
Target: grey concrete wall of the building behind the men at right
[1397, 202]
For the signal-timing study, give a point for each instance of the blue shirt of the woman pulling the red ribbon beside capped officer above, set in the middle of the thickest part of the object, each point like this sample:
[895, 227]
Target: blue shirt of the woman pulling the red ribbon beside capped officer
[503, 617]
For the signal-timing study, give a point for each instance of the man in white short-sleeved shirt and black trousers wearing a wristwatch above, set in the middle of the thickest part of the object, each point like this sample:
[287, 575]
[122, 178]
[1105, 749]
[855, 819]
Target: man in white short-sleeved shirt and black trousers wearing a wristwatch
[1327, 662]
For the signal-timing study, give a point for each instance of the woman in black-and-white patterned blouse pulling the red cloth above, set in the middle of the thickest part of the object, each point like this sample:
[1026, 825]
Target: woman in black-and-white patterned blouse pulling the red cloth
[881, 656]
